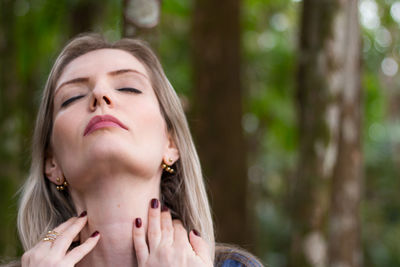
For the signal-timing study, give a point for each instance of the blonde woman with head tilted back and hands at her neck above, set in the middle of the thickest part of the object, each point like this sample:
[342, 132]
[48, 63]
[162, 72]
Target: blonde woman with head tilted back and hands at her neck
[112, 144]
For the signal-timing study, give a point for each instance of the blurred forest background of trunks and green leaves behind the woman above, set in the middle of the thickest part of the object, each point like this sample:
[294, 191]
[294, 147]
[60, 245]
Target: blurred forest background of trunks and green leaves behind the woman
[293, 105]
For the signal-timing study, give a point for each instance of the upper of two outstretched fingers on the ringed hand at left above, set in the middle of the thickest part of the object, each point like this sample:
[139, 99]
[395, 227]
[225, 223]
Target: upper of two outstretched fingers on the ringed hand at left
[63, 242]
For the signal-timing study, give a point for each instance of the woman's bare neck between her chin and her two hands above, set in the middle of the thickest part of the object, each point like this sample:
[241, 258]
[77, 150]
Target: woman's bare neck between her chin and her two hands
[112, 204]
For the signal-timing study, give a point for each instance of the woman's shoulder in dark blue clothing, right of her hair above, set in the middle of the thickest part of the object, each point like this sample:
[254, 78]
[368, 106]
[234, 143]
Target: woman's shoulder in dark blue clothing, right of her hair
[231, 256]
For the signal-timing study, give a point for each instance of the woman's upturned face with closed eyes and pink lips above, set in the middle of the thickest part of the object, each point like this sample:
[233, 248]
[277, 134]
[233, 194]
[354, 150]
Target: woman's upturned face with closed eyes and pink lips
[94, 91]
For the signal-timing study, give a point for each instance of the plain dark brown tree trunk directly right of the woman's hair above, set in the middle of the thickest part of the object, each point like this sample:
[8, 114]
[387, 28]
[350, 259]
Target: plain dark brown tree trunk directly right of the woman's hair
[218, 113]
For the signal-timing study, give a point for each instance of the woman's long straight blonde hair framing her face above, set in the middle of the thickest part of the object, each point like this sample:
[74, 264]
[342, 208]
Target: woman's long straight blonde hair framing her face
[42, 207]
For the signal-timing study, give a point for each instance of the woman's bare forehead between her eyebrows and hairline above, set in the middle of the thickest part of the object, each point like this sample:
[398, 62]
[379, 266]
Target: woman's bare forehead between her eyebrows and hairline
[100, 62]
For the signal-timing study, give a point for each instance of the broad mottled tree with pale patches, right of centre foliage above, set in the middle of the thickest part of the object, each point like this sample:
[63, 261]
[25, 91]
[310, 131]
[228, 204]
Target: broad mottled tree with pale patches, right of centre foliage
[326, 193]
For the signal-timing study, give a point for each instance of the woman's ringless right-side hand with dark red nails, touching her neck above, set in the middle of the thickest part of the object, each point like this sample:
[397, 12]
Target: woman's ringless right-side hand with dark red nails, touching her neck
[168, 242]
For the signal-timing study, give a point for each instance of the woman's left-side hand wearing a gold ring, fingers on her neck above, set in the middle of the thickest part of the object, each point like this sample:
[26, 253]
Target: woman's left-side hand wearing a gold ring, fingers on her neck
[55, 253]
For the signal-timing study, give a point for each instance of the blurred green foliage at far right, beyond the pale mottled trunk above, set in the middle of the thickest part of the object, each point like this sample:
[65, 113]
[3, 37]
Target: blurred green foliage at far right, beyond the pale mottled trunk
[380, 217]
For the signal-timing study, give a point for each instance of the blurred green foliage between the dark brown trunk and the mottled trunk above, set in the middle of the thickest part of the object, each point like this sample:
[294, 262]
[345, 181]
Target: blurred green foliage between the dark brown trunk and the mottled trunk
[269, 44]
